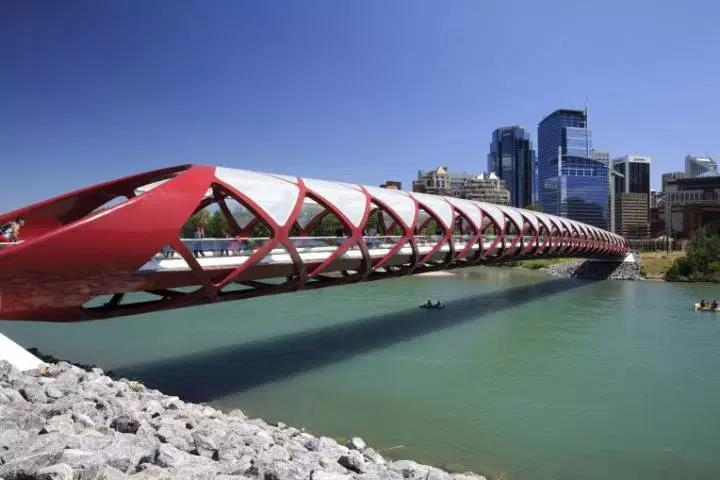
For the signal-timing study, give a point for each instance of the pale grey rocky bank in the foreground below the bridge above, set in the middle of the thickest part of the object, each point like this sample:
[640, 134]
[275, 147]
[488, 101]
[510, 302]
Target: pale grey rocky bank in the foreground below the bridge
[62, 422]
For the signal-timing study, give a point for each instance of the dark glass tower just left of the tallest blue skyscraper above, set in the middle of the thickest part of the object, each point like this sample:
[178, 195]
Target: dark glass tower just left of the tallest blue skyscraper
[512, 158]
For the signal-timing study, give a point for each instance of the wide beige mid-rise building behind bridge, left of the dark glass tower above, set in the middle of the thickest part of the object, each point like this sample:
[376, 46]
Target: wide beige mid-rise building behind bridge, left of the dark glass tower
[481, 187]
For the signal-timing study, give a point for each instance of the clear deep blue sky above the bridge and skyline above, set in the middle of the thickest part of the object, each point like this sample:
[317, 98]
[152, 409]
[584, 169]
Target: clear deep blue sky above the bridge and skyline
[360, 91]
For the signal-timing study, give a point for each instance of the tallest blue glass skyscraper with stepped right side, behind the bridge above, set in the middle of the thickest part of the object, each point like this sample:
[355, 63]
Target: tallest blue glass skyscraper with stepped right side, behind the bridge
[572, 181]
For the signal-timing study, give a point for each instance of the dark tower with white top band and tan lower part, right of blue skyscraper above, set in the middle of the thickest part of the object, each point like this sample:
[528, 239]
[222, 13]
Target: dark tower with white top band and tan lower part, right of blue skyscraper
[632, 196]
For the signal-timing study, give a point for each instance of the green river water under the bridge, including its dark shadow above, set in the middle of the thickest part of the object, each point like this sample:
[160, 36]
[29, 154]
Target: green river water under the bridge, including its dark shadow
[520, 377]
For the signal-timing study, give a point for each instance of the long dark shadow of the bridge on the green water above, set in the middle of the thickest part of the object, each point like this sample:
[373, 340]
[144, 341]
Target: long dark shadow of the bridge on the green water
[216, 373]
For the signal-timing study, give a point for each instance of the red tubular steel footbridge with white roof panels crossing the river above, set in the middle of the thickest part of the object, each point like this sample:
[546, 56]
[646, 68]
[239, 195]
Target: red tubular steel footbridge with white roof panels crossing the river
[117, 249]
